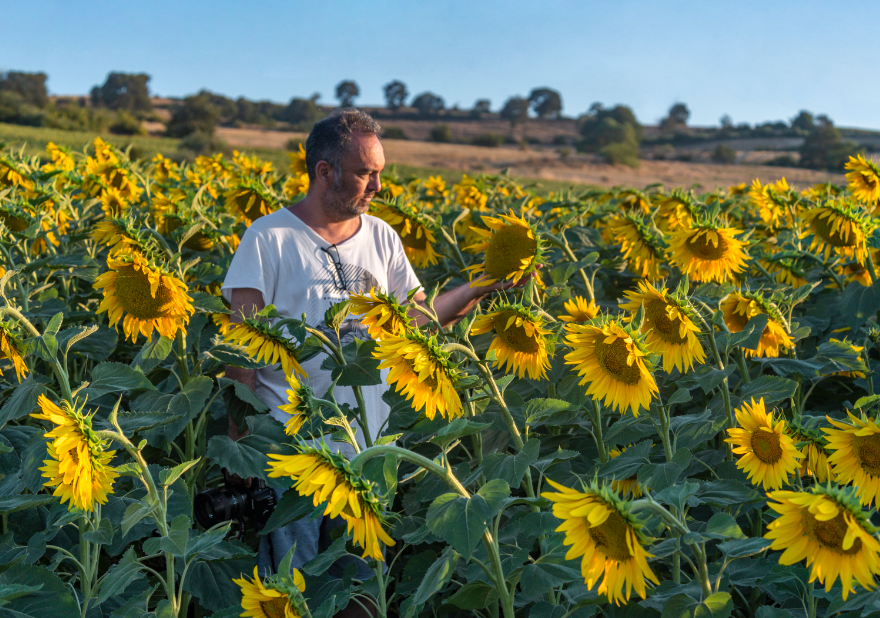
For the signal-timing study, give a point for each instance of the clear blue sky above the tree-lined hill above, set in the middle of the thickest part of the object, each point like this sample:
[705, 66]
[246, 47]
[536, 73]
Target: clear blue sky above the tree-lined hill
[755, 60]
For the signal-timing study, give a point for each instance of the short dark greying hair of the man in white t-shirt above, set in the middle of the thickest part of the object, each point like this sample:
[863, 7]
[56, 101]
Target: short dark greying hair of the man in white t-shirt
[330, 137]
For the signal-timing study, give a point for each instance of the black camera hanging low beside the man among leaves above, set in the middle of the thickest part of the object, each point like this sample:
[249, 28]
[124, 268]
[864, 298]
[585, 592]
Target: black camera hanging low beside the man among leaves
[231, 503]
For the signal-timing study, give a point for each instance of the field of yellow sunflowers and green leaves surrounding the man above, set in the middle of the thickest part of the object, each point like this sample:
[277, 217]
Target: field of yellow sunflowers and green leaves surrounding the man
[672, 414]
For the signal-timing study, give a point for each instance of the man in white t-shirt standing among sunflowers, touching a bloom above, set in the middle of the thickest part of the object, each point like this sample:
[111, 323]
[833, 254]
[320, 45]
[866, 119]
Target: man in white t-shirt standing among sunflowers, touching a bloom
[311, 255]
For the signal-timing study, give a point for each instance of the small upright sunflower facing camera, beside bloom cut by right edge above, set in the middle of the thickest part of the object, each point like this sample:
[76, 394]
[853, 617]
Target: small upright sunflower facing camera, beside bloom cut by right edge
[769, 455]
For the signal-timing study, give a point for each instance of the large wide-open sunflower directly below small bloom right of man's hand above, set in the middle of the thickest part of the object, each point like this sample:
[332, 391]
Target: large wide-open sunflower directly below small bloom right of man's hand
[611, 357]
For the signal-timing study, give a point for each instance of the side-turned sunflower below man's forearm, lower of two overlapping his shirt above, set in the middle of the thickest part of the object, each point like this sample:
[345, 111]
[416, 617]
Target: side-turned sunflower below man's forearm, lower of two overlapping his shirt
[422, 371]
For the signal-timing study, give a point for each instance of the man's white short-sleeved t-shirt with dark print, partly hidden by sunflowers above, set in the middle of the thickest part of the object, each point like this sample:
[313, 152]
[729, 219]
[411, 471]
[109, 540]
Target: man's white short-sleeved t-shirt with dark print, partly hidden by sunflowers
[282, 257]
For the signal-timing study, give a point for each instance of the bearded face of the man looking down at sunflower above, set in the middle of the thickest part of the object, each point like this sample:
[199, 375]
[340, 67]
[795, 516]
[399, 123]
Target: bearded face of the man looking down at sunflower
[350, 193]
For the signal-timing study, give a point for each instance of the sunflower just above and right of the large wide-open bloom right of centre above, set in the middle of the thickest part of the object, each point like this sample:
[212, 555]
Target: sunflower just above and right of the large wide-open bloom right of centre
[669, 327]
